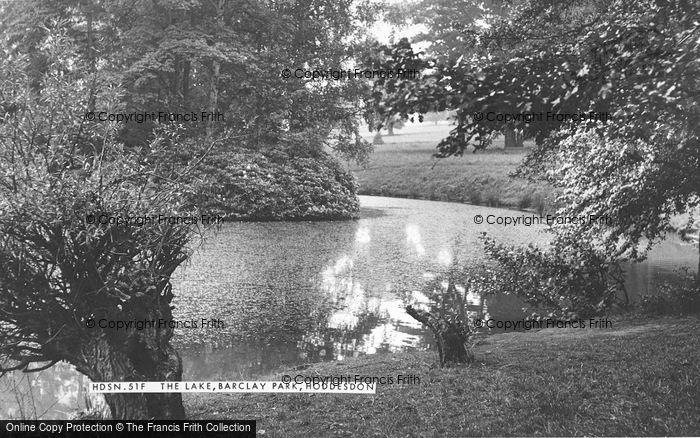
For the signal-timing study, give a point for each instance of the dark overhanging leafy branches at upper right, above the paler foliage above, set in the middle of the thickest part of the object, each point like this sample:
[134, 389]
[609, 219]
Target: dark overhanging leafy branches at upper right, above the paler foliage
[617, 57]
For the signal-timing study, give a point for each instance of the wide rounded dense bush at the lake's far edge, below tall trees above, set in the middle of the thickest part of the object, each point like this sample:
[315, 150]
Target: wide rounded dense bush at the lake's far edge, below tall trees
[275, 184]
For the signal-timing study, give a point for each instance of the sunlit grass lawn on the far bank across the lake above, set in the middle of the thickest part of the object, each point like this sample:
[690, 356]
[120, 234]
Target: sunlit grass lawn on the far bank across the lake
[404, 167]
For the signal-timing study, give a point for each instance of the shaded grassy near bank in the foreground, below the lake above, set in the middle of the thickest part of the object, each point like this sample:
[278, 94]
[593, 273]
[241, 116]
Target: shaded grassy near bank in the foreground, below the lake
[640, 377]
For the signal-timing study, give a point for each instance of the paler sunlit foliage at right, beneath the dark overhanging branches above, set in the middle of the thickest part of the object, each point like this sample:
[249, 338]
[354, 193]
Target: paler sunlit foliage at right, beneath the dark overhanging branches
[626, 190]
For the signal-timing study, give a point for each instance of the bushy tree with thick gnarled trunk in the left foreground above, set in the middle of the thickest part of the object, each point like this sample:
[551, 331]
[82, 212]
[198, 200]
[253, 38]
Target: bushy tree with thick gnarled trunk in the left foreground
[81, 243]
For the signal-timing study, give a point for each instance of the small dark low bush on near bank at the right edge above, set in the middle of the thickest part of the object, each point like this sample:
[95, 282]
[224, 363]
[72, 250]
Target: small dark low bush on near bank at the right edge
[674, 297]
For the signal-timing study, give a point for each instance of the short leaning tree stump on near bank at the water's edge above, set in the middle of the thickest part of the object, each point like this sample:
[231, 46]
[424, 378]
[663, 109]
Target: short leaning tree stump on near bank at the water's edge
[450, 338]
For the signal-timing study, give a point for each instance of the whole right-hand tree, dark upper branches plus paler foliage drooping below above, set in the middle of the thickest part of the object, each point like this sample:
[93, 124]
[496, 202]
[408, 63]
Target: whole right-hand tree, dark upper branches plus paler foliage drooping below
[634, 62]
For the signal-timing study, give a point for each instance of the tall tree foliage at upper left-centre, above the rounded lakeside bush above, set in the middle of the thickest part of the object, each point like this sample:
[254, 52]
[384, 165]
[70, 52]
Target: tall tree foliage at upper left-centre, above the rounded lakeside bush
[222, 56]
